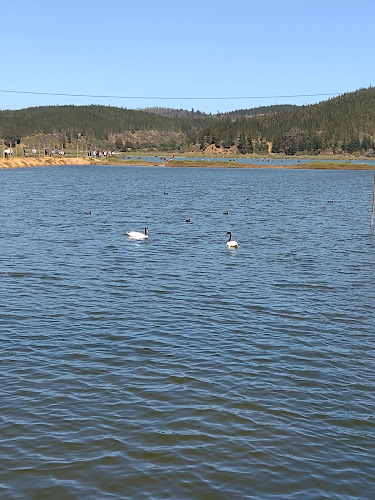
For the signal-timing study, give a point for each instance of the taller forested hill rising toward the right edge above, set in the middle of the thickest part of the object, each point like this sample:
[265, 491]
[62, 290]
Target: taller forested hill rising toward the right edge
[341, 124]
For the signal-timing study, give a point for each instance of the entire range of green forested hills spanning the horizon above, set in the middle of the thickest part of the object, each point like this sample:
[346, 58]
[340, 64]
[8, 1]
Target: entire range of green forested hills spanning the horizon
[341, 124]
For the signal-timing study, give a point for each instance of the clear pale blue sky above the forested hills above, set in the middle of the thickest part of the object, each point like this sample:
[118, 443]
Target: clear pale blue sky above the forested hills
[174, 48]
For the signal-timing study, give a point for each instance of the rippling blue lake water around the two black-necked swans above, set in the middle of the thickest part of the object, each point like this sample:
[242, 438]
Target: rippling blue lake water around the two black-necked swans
[174, 368]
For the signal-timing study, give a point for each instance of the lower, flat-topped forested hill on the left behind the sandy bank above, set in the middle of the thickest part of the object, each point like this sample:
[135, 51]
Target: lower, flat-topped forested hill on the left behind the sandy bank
[110, 126]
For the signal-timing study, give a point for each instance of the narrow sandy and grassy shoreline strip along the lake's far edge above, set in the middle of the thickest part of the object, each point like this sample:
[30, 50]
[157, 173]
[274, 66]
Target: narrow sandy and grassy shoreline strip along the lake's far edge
[176, 162]
